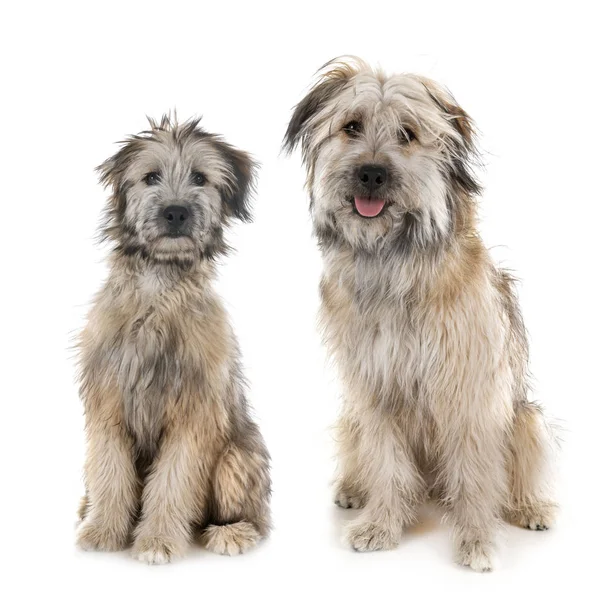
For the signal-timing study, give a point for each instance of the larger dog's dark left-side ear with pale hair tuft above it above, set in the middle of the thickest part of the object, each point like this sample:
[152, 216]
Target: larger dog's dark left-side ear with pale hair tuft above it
[333, 76]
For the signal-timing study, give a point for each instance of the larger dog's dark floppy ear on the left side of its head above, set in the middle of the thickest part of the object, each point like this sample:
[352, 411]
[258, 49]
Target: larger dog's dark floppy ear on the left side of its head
[325, 89]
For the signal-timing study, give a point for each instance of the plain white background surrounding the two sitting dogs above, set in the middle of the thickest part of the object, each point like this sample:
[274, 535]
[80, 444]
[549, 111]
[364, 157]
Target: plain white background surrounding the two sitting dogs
[77, 77]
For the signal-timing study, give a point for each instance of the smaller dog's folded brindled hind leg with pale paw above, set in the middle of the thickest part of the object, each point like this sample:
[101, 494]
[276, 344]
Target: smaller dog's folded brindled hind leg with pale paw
[241, 492]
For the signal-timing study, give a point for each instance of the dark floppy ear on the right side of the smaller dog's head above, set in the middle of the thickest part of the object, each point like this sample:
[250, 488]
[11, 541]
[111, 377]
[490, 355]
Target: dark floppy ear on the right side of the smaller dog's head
[237, 192]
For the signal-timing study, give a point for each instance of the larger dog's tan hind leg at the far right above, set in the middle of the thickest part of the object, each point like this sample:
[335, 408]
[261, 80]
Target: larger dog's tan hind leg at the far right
[529, 503]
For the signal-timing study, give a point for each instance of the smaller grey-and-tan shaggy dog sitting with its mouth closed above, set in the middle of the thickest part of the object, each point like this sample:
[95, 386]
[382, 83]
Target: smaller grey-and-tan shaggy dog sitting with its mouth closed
[171, 445]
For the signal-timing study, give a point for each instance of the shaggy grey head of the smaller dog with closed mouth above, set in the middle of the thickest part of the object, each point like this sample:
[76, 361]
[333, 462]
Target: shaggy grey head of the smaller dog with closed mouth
[175, 187]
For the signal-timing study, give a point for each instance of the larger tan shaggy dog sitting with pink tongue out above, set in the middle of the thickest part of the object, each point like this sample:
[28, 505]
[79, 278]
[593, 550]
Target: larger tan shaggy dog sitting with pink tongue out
[425, 329]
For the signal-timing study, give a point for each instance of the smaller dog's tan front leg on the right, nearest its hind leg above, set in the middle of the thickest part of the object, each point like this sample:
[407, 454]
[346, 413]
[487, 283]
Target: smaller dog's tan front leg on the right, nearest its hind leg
[174, 497]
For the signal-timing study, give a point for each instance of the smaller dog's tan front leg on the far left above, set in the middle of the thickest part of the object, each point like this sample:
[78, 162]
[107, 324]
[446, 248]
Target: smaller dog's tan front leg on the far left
[112, 485]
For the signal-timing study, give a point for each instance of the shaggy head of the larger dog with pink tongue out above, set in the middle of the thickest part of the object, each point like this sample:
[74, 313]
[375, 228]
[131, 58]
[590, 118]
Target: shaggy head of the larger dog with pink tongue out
[388, 158]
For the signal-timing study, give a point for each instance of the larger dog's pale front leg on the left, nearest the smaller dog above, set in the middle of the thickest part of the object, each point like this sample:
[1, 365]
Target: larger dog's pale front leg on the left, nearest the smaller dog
[394, 484]
